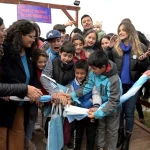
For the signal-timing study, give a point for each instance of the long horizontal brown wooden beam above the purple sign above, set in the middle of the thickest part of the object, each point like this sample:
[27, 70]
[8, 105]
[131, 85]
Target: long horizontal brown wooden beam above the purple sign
[49, 5]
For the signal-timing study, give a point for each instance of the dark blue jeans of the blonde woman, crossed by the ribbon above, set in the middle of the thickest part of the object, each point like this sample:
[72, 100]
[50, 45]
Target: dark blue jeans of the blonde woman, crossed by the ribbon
[128, 108]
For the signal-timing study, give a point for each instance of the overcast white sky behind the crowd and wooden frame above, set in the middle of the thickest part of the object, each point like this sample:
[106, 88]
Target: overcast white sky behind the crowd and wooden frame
[109, 12]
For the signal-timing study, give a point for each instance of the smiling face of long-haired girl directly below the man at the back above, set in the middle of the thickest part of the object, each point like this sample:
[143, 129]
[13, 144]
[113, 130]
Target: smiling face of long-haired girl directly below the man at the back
[90, 39]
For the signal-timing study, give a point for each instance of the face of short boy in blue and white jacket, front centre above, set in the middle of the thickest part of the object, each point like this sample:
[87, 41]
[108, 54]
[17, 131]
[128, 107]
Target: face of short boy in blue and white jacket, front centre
[80, 74]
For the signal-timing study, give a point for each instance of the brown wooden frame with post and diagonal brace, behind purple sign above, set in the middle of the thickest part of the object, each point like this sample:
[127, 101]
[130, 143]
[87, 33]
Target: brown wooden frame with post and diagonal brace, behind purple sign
[64, 8]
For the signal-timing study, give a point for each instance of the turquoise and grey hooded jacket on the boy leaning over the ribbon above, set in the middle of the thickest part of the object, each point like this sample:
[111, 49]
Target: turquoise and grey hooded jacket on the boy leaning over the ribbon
[108, 84]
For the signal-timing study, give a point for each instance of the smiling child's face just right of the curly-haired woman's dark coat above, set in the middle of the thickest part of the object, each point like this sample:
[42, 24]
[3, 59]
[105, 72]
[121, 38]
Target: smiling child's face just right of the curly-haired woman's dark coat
[41, 62]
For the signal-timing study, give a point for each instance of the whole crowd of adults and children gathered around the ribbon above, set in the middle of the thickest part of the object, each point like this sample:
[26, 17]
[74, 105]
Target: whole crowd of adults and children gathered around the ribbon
[95, 66]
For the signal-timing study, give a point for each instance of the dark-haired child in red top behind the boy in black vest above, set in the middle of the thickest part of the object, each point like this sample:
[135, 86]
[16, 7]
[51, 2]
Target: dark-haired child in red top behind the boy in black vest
[78, 41]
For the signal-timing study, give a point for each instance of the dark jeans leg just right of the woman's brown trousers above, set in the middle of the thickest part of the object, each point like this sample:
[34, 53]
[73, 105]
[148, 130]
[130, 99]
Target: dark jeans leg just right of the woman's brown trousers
[33, 112]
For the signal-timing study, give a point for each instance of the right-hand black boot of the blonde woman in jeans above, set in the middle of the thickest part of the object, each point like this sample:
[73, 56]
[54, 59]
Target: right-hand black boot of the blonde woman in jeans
[125, 145]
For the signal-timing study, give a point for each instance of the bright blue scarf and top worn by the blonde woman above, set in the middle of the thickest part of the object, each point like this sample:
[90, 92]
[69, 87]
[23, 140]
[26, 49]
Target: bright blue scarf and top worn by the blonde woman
[125, 72]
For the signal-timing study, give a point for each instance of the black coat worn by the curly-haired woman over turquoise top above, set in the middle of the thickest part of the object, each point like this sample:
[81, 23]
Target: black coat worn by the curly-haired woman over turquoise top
[13, 73]
